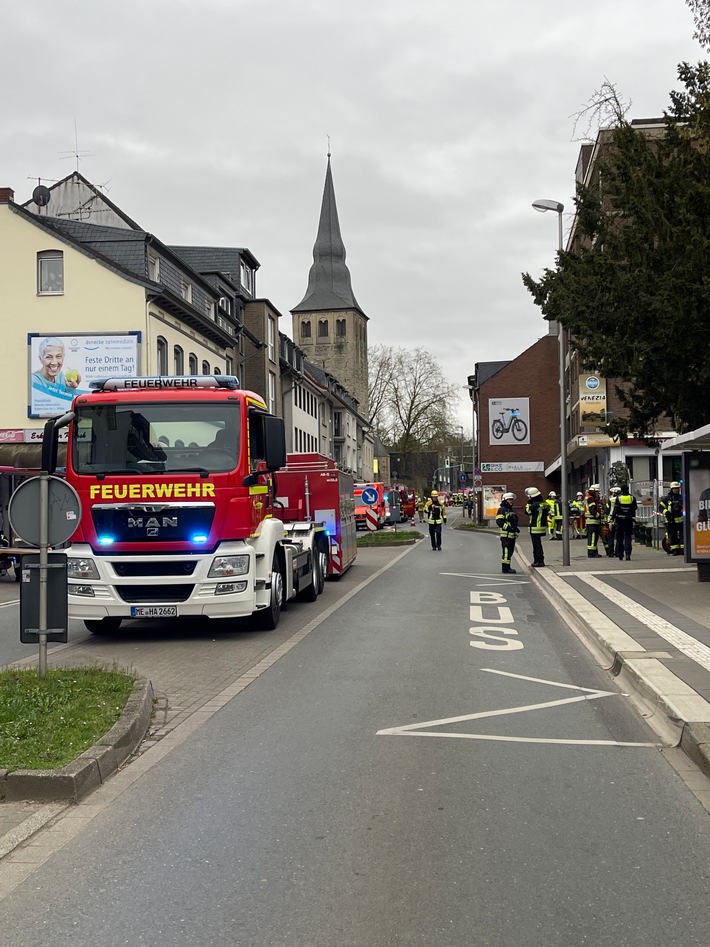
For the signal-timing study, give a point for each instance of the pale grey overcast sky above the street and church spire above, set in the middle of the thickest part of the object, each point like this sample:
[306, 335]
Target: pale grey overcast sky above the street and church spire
[207, 123]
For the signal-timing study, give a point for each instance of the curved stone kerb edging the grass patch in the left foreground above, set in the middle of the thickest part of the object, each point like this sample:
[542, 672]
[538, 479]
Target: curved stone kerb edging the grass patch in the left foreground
[77, 779]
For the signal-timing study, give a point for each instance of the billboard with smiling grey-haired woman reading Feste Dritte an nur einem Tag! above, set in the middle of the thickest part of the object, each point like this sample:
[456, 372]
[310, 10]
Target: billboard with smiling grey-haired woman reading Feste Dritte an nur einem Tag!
[62, 366]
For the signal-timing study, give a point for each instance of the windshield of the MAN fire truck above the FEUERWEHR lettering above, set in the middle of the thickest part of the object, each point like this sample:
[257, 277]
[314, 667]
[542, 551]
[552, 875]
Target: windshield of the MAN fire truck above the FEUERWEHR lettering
[163, 437]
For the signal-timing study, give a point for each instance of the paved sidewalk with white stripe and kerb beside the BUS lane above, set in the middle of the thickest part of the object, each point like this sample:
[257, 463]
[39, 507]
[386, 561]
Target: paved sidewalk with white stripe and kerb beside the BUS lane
[648, 621]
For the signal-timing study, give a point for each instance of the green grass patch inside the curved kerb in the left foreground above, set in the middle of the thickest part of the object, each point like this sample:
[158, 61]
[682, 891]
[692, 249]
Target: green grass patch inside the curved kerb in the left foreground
[45, 724]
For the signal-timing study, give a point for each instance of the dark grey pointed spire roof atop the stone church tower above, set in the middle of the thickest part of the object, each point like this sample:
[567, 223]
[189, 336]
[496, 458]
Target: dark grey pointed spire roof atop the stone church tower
[329, 286]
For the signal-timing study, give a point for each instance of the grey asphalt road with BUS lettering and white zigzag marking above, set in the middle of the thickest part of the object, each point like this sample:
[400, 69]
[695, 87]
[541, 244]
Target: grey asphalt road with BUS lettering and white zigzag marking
[427, 767]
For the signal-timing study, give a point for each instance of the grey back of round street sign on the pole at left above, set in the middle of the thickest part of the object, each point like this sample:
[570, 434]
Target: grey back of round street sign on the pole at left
[64, 511]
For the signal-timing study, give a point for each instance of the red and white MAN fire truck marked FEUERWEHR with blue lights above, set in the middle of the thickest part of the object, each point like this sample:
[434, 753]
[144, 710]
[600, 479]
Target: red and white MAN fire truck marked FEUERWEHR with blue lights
[176, 480]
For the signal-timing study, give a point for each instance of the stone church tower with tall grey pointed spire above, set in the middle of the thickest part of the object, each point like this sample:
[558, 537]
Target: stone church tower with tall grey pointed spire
[328, 324]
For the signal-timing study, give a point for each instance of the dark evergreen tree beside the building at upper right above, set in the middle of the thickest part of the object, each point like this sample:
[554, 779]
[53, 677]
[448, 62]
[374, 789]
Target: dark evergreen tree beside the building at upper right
[634, 289]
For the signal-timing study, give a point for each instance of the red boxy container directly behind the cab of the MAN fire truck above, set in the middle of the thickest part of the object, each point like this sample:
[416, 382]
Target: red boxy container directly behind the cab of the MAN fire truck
[312, 488]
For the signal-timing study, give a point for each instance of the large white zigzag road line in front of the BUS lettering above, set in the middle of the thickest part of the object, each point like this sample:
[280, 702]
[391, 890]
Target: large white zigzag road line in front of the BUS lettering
[418, 729]
